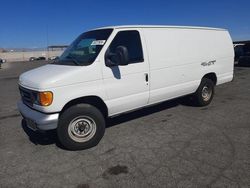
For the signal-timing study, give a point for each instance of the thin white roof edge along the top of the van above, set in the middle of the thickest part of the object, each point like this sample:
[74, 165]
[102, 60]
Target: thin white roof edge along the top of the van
[161, 26]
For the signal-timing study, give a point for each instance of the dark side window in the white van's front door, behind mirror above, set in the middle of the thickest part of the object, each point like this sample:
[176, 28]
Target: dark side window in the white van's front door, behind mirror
[131, 40]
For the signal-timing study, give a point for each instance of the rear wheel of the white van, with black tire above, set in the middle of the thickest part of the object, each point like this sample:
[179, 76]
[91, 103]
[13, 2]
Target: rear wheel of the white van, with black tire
[198, 96]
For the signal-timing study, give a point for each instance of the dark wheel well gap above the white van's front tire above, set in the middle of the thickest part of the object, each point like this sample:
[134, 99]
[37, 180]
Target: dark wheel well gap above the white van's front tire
[92, 100]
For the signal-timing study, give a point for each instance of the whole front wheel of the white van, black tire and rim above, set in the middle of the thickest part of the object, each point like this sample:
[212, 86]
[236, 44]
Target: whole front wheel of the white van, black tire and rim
[68, 135]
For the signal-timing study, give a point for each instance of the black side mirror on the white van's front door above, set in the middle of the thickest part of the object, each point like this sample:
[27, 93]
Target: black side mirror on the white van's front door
[120, 57]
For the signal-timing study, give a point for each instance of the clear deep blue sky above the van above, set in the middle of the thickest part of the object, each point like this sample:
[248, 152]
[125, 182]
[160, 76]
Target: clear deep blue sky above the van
[38, 23]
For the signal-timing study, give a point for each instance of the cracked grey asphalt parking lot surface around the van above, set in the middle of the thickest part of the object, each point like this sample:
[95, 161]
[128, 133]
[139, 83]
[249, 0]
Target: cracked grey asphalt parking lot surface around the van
[171, 144]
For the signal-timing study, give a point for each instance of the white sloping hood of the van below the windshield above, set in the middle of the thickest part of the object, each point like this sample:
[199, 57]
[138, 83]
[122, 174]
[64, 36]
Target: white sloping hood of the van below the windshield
[50, 76]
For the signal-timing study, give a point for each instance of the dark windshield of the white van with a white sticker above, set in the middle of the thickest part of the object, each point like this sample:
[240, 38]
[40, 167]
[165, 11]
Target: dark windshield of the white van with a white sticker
[84, 50]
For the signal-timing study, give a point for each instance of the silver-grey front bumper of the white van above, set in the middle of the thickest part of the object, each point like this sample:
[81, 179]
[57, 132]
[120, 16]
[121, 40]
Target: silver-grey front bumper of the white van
[36, 120]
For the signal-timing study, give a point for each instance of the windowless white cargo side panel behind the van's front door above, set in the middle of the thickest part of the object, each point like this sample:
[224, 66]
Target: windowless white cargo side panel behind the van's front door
[176, 55]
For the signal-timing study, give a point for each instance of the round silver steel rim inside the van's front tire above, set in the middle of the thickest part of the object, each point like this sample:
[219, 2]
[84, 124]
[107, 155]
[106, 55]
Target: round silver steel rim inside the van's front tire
[82, 129]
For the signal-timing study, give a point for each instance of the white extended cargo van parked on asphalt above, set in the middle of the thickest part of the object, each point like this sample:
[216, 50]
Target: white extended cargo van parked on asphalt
[112, 70]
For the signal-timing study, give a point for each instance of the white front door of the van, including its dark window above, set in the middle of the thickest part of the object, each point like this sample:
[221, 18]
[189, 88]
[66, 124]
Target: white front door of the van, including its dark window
[127, 86]
